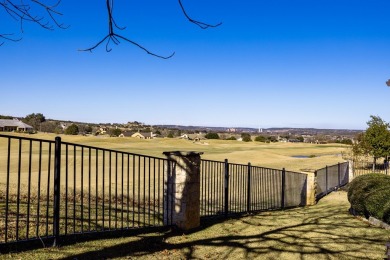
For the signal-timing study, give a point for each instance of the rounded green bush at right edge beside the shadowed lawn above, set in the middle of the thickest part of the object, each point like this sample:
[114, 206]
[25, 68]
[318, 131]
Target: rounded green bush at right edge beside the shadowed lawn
[369, 195]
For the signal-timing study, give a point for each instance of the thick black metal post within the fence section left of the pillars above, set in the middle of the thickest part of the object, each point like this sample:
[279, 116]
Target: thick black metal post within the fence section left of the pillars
[57, 184]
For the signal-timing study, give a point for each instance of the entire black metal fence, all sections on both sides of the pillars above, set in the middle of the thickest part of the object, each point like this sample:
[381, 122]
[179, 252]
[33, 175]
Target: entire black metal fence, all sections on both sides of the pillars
[50, 189]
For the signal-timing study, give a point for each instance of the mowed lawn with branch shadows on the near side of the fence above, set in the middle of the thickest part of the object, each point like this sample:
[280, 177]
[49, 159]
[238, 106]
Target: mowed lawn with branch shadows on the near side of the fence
[323, 231]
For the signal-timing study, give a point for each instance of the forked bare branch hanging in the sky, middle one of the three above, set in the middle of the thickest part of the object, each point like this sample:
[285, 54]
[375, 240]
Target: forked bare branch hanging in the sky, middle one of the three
[114, 37]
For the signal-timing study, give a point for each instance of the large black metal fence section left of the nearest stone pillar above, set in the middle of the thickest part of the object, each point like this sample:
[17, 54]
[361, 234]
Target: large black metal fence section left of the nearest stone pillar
[50, 189]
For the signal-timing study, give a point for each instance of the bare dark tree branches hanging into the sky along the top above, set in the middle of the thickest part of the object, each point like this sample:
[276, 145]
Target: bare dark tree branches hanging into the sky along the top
[46, 17]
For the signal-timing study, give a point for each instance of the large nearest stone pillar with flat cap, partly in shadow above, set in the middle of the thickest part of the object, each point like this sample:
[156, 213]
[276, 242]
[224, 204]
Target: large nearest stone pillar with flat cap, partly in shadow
[182, 190]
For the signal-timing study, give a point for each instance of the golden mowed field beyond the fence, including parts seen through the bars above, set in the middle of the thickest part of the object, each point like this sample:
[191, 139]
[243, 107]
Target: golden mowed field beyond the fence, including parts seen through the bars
[133, 177]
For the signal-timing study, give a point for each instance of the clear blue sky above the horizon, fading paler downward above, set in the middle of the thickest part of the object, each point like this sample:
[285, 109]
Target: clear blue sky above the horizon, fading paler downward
[279, 63]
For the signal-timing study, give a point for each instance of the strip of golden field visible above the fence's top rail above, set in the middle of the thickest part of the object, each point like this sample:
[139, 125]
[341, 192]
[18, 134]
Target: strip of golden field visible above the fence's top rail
[274, 155]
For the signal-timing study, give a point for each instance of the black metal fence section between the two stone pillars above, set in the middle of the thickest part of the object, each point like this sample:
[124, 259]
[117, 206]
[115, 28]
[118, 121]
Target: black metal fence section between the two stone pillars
[228, 188]
